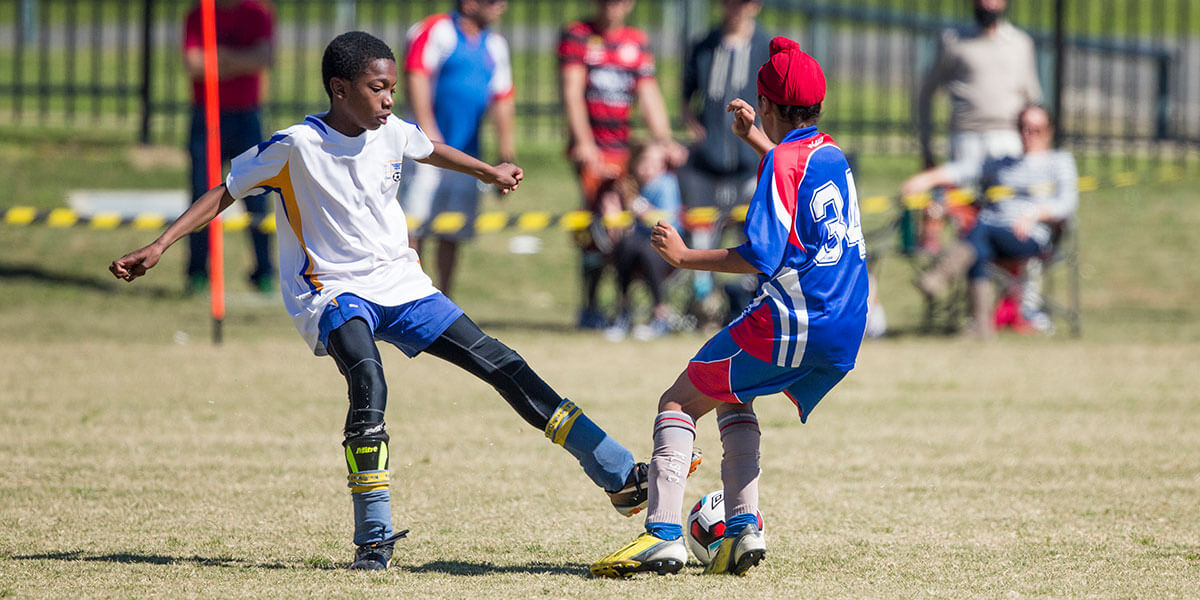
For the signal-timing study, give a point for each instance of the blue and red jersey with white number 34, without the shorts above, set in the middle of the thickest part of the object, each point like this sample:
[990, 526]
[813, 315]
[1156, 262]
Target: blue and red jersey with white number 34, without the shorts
[806, 237]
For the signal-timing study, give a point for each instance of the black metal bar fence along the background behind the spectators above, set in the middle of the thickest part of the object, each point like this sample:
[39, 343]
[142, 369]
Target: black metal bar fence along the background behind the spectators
[1121, 76]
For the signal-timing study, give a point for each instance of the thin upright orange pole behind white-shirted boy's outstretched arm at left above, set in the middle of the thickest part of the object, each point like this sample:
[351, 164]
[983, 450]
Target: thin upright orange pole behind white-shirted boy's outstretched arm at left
[213, 124]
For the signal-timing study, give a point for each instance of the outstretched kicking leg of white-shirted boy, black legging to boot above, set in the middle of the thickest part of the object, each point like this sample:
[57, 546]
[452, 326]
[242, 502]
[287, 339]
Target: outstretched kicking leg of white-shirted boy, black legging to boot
[605, 461]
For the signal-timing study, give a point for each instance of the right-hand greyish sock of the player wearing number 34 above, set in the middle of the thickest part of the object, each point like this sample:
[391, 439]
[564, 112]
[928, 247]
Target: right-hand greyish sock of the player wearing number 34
[740, 465]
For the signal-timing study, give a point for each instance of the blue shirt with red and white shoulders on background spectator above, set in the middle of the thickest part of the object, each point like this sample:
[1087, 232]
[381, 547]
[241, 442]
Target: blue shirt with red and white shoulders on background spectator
[469, 75]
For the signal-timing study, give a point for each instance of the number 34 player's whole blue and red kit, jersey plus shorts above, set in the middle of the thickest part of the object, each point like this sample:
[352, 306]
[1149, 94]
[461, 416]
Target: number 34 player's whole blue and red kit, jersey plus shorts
[803, 331]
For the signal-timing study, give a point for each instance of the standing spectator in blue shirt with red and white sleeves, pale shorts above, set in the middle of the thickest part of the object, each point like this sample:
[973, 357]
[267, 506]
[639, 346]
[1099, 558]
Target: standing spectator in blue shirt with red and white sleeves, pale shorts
[458, 71]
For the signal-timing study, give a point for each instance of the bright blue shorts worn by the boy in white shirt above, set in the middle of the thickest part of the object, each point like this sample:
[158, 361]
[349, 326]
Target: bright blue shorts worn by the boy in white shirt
[410, 327]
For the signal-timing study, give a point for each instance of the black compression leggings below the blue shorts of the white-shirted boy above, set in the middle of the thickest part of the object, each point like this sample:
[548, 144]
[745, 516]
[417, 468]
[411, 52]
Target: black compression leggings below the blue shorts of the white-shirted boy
[463, 344]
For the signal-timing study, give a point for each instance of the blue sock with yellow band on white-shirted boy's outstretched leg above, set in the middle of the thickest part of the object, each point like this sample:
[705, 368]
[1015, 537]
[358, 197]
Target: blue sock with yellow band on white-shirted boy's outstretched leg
[605, 461]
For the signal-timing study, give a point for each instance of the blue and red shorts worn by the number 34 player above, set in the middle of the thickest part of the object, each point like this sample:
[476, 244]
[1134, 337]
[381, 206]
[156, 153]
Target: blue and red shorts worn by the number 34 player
[724, 371]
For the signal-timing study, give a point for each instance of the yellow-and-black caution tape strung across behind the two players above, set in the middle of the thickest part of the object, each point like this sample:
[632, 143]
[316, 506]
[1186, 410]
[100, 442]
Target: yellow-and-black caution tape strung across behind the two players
[541, 221]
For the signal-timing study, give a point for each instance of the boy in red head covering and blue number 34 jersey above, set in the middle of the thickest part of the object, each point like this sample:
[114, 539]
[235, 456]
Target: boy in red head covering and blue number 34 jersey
[801, 335]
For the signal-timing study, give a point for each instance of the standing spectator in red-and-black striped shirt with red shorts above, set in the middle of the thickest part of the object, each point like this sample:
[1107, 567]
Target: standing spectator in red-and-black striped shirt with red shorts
[607, 68]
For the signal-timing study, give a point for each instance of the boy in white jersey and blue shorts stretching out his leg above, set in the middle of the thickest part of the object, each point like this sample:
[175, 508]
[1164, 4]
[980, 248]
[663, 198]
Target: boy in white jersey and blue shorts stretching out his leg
[349, 279]
